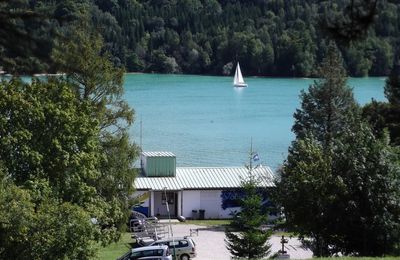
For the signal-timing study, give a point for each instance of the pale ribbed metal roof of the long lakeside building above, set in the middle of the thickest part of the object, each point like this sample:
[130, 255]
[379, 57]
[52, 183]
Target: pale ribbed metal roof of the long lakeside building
[188, 178]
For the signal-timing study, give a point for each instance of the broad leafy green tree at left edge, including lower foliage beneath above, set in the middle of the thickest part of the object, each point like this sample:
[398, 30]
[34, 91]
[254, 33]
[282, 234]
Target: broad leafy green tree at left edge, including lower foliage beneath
[49, 155]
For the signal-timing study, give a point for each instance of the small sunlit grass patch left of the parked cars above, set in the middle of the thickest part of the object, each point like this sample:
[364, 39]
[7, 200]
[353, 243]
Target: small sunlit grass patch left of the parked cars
[116, 250]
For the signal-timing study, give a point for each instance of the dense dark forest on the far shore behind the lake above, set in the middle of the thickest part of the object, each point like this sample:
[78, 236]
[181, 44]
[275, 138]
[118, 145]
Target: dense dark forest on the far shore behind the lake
[270, 38]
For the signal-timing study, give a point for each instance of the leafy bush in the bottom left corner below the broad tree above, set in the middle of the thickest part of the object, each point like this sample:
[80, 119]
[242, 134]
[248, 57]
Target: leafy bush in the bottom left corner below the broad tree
[34, 224]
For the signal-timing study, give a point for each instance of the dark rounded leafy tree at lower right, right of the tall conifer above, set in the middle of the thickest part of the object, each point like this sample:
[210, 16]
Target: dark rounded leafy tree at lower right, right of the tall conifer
[370, 173]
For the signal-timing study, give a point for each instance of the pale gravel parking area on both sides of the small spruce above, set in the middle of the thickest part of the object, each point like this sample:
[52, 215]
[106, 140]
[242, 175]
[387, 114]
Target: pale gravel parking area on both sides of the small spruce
[210, 243]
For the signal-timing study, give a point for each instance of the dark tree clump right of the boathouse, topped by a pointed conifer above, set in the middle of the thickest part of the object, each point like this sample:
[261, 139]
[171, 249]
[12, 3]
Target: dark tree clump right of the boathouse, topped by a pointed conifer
[340, 184]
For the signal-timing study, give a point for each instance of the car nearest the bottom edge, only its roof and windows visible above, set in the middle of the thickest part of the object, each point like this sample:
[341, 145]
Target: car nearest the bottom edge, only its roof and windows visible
[158, 252]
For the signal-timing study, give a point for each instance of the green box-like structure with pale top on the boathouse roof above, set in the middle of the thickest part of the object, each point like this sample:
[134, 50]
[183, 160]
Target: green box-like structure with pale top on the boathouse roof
[159, 164]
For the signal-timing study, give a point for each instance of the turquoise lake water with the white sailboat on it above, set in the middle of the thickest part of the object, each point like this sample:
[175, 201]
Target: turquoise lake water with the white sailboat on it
[205, 121]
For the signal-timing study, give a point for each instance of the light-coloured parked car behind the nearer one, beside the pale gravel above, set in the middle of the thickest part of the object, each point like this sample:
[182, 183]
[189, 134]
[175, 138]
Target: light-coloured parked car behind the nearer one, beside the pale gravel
[185, 247]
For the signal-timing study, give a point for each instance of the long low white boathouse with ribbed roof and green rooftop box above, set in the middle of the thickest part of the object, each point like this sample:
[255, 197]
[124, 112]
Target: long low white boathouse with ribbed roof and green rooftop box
[192, 192]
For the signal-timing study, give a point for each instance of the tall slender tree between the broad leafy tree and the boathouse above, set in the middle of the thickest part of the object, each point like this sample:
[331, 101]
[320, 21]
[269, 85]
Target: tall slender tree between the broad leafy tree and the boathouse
[98, 82]
